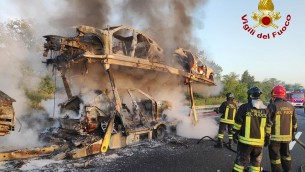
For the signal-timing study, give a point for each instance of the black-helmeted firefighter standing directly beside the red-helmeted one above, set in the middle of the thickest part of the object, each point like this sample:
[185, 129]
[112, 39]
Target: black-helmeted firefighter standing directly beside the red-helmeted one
[252, 125]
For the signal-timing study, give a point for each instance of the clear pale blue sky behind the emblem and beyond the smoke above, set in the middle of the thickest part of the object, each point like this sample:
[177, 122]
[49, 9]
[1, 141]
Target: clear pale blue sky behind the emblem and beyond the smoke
[221, 35]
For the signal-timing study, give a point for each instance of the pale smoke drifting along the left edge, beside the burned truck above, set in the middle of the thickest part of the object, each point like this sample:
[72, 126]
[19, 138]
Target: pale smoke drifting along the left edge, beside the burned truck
[20, 68]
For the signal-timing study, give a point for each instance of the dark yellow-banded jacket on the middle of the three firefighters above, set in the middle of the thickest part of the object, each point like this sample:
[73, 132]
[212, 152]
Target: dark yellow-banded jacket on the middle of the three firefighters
[252, 124]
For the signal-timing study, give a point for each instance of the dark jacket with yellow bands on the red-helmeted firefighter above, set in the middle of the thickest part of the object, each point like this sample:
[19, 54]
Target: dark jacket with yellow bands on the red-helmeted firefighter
[284, 120]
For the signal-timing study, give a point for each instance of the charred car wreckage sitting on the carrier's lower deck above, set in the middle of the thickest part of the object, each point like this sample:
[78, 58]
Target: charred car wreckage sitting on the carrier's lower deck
[138, 109]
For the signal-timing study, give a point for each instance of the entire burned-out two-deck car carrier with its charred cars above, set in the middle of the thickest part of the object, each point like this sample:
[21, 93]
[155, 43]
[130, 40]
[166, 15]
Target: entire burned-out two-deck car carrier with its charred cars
[121, 122]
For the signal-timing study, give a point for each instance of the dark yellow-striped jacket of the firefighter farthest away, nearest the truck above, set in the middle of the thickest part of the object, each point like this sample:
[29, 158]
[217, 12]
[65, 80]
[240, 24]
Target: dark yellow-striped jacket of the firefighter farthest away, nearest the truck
[228, 110]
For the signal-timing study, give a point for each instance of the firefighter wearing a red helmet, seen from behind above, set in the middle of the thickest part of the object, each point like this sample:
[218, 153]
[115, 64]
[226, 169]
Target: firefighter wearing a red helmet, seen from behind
[284, 127]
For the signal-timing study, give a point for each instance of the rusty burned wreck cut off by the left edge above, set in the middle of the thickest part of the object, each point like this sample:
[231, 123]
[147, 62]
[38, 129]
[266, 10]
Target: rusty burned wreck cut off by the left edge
[7, 114]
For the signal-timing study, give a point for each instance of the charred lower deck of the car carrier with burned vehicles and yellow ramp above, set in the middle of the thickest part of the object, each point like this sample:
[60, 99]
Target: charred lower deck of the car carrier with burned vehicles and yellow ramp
[140, 116]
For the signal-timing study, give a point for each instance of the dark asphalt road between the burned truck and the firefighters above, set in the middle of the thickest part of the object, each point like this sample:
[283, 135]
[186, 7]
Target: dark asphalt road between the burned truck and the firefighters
[184, 155]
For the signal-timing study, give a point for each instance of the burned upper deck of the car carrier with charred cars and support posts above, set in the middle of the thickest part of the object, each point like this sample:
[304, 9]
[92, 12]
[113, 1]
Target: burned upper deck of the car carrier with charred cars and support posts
[121, 46]
